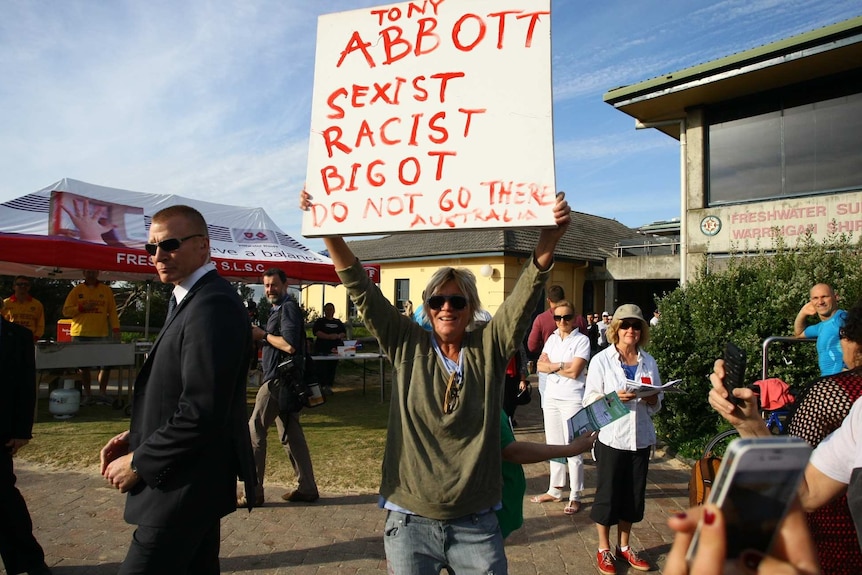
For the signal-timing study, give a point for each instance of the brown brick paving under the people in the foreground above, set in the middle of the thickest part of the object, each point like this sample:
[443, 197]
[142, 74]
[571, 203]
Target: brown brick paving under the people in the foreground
[78, 520]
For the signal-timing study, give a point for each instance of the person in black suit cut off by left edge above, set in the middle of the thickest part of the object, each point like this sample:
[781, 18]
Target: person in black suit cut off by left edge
[20, 551]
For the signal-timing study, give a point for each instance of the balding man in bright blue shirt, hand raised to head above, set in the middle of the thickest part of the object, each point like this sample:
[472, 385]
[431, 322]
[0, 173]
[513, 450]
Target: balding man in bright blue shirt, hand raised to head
[824, 304]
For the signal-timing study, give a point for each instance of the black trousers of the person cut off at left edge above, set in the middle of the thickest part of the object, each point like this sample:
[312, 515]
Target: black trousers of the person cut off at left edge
[18, 548]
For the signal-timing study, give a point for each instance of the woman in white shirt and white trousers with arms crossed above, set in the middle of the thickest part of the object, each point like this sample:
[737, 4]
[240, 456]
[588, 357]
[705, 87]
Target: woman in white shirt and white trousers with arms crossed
[563, 358]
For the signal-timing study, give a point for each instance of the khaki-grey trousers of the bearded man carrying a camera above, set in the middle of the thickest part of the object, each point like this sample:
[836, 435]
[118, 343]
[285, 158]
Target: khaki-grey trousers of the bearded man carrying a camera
[265, 412]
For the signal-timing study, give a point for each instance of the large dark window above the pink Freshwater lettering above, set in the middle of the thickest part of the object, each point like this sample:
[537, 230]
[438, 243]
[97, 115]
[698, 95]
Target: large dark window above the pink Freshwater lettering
[800, 141]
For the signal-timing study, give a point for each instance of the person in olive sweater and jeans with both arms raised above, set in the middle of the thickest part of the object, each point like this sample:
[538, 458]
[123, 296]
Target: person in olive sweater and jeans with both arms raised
[441, 468]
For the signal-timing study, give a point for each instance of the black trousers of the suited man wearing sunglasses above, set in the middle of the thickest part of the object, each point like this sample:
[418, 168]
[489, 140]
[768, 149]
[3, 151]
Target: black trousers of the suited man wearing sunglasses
[189, 549]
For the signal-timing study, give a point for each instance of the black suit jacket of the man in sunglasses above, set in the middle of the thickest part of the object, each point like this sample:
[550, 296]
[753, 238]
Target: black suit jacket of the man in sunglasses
[189, 429]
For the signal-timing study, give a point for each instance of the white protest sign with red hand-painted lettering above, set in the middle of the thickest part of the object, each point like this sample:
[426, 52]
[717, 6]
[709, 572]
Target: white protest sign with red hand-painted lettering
[433, 114]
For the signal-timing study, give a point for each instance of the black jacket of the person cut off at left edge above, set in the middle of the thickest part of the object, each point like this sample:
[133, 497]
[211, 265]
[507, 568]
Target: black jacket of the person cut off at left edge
[18, 373]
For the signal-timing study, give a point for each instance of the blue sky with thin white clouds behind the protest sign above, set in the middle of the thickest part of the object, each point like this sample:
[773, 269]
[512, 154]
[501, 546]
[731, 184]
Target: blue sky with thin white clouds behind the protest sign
[211, 99]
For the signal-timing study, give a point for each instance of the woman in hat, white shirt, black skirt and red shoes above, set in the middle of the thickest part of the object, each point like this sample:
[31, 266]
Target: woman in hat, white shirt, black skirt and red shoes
[623, 449]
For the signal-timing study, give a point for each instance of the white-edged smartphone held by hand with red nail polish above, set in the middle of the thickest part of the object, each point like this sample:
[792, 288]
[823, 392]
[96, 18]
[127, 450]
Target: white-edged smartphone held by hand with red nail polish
[755, 485]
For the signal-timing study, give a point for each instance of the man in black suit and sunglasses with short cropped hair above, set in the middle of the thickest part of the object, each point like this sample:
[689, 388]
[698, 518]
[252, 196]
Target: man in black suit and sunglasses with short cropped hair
[188, 440]
